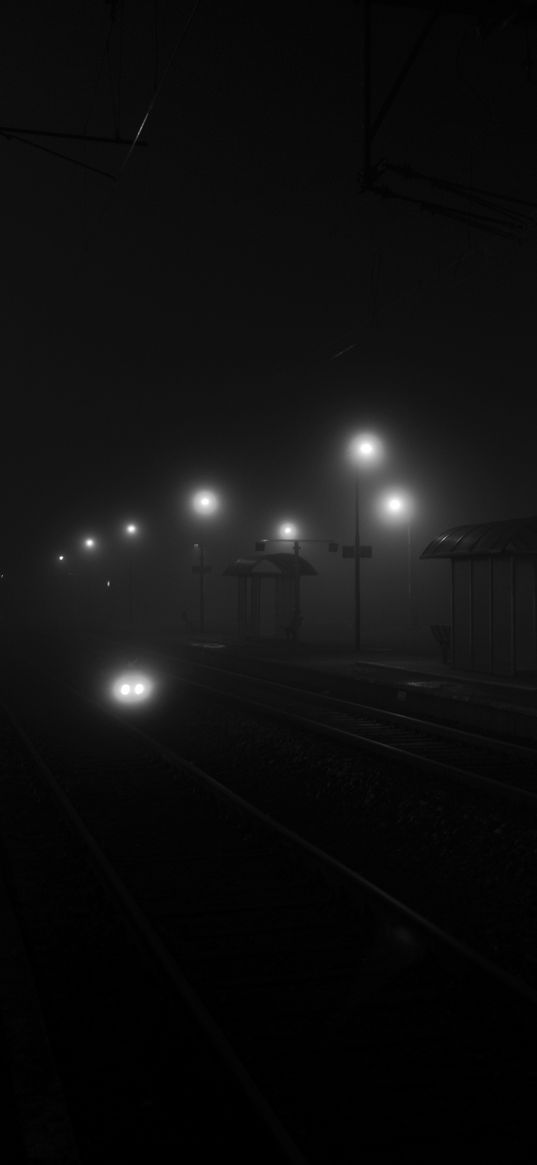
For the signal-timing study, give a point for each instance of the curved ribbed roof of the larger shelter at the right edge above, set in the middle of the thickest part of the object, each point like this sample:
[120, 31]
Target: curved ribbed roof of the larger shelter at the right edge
[518, 536]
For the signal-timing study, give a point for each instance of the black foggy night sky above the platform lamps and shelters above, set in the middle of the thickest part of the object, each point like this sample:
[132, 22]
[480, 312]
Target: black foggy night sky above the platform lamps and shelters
[182, 326]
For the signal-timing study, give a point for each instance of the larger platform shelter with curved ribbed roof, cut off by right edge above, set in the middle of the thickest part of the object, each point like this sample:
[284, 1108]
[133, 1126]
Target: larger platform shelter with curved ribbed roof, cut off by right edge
[493, 595]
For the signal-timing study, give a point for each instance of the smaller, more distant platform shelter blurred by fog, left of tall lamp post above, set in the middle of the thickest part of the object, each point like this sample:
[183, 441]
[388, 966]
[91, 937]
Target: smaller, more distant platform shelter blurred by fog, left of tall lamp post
[268, 591]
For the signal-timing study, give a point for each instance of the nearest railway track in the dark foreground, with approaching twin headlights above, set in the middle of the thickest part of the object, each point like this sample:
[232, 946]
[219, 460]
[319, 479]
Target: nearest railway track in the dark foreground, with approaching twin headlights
[350, 1027]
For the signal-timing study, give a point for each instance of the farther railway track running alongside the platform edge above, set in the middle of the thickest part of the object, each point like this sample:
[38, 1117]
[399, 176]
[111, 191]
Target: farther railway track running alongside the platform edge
[504, 767]
